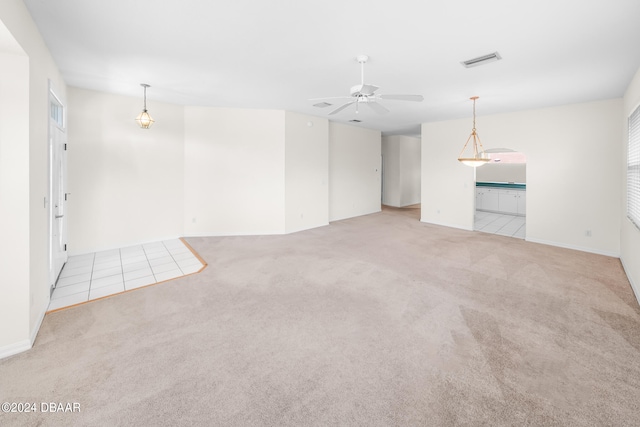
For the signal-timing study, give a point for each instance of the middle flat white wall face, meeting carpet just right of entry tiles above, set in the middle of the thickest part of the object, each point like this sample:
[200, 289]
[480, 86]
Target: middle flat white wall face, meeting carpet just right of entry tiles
[234, 171]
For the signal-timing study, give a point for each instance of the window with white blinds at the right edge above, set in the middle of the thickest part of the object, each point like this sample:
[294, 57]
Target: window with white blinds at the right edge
[633, 169]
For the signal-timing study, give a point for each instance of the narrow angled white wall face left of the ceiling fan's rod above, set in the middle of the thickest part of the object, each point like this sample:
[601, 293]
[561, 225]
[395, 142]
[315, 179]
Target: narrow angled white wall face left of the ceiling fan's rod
[306, 172]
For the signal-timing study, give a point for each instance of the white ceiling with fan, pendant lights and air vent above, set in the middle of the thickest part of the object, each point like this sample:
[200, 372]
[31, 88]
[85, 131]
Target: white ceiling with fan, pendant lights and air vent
[278, 54]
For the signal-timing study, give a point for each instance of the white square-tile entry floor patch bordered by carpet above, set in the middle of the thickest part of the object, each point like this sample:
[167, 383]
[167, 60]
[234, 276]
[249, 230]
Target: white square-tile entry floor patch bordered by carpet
[96, 275]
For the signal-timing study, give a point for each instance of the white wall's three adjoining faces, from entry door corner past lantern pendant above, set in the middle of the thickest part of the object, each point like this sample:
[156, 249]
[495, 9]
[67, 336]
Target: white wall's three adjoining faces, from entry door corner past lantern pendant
[196, 171]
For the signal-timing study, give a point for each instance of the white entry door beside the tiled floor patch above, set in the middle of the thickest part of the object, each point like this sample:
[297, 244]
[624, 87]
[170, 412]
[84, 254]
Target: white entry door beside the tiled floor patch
[57, 188]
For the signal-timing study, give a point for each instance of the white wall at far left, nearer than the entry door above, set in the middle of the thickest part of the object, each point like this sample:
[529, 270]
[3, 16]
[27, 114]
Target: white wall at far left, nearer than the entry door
[30, 182]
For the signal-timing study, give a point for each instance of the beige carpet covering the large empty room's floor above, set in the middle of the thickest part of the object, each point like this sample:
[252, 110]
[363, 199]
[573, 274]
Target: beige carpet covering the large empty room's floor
[373, 321]
